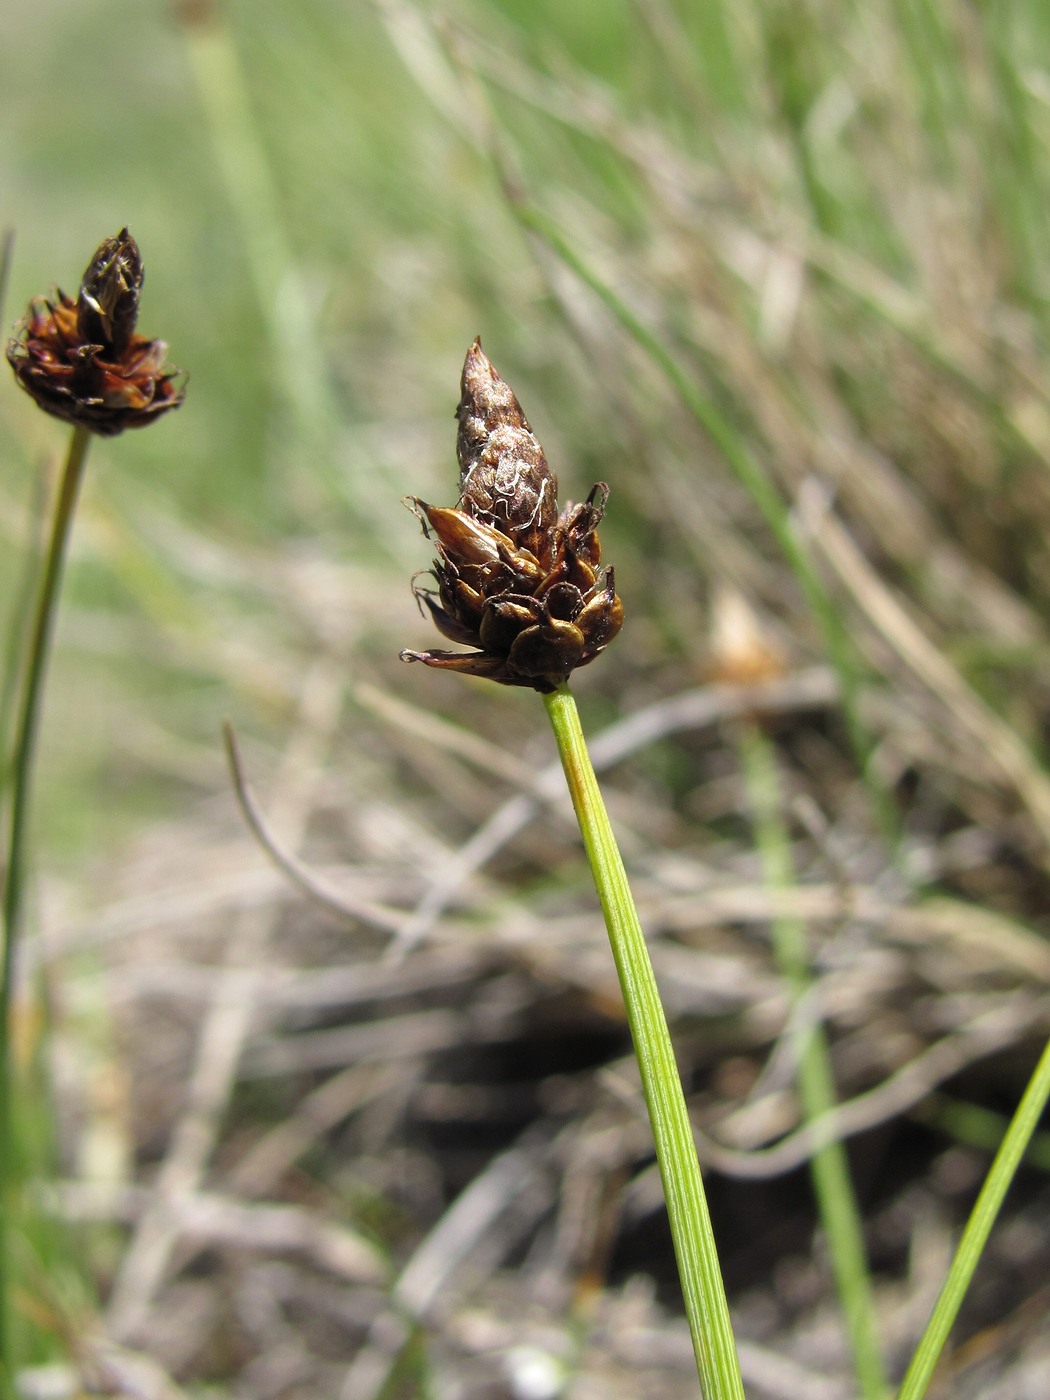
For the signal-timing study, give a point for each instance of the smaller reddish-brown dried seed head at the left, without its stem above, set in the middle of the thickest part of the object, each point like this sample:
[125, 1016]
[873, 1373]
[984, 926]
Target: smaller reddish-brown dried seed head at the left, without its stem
[83, 360]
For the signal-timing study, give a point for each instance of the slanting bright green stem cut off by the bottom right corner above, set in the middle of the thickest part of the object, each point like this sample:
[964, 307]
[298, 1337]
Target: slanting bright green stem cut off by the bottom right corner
[978, 1230]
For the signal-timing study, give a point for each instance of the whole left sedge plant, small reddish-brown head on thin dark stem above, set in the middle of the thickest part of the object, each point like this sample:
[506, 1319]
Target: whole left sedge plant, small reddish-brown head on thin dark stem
[83, 362]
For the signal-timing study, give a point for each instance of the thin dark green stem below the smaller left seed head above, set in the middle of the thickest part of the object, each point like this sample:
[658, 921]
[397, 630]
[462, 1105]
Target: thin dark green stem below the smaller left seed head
[15, 880]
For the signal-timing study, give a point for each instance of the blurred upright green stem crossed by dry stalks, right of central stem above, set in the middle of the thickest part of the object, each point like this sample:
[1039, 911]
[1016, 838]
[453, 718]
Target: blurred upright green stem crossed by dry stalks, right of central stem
[829, 1167]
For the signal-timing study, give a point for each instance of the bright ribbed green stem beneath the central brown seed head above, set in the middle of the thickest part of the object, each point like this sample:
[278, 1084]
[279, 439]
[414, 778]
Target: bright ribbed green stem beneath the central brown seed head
[691, 1223]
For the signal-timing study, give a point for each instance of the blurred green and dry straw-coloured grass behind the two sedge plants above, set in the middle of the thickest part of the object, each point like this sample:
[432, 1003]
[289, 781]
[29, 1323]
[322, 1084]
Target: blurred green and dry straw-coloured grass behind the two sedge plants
[293, 1164]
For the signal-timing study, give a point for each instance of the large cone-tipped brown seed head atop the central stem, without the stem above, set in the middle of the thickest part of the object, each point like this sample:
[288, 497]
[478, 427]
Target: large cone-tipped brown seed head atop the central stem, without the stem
[517, 580]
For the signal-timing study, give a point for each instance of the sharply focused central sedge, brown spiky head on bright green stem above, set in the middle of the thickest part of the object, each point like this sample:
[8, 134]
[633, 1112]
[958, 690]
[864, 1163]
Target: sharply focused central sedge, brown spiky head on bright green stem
[521, 583]
